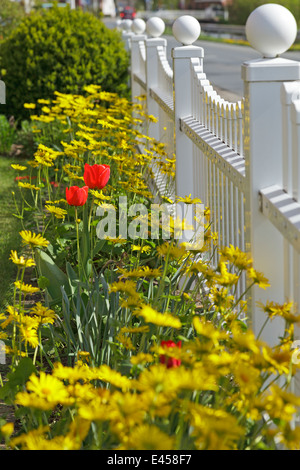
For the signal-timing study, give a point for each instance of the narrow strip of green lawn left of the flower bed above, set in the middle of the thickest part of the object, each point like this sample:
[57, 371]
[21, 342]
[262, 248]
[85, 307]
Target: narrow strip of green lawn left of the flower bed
[9, 228]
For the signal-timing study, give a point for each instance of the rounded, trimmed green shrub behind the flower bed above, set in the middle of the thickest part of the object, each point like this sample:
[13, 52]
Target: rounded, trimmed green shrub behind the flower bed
[60, 50]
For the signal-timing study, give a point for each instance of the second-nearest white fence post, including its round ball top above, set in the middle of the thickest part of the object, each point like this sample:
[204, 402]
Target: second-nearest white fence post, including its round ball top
[186, 30]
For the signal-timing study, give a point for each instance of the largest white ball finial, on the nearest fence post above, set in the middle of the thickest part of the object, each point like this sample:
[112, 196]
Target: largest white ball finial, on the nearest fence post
[271, 29]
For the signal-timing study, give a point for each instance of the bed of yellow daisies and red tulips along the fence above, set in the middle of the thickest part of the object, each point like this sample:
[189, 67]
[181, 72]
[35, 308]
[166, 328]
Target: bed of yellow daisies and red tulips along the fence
[121, 342]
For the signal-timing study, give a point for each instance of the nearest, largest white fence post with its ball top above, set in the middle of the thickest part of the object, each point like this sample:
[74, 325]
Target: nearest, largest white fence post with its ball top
[271, 31]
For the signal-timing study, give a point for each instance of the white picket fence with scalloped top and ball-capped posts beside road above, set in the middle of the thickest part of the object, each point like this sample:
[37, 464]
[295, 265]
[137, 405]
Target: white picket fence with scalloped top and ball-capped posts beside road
[241, 159]
